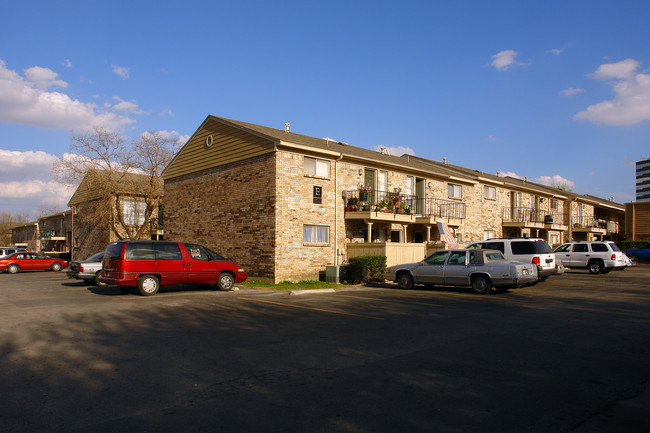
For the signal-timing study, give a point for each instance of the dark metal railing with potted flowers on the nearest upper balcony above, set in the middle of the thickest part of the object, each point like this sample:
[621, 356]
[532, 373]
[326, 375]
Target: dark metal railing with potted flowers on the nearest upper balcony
[403, 203]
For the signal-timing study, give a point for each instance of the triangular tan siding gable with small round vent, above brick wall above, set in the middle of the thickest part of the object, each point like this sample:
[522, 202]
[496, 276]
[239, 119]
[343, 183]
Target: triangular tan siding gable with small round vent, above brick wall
[228, 145]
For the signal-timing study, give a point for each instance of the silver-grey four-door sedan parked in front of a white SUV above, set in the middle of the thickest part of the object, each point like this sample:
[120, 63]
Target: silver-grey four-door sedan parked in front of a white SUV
[479, 268]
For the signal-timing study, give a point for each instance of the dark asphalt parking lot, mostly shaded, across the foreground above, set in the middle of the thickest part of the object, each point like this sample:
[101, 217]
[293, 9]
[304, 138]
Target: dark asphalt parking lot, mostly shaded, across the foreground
[571, 354]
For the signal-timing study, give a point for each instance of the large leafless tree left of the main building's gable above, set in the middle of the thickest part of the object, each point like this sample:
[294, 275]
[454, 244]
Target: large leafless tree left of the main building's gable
[118, 183]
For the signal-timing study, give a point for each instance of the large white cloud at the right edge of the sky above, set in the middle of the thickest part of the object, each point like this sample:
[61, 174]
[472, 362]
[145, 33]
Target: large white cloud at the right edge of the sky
[631, 103]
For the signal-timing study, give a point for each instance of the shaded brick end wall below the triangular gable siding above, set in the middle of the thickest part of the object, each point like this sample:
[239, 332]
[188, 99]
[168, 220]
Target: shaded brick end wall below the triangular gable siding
[230, 209]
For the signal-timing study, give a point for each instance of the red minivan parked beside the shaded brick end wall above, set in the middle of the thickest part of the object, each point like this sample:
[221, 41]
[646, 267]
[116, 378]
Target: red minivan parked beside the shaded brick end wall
[147, 265]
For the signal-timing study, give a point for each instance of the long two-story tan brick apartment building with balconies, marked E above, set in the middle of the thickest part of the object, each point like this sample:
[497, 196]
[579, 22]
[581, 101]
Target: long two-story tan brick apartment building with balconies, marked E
[286, 205]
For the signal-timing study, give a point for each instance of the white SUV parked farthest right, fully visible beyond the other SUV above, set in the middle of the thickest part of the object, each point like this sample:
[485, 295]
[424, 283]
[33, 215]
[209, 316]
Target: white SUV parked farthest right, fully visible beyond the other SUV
[596, 256]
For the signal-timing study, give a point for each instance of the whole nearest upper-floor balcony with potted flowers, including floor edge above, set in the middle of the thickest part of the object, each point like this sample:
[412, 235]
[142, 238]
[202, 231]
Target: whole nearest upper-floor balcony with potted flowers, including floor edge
[384, 205]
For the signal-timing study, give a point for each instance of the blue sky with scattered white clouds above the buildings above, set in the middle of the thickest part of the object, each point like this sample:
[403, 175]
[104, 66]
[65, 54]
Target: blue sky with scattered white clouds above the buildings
[557, 91]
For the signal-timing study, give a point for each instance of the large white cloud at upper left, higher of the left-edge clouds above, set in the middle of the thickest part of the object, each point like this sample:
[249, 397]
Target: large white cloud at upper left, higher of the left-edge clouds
[23, 101]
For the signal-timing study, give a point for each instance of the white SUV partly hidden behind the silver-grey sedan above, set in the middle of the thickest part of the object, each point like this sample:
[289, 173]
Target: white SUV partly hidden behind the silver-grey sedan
[525, 250]
